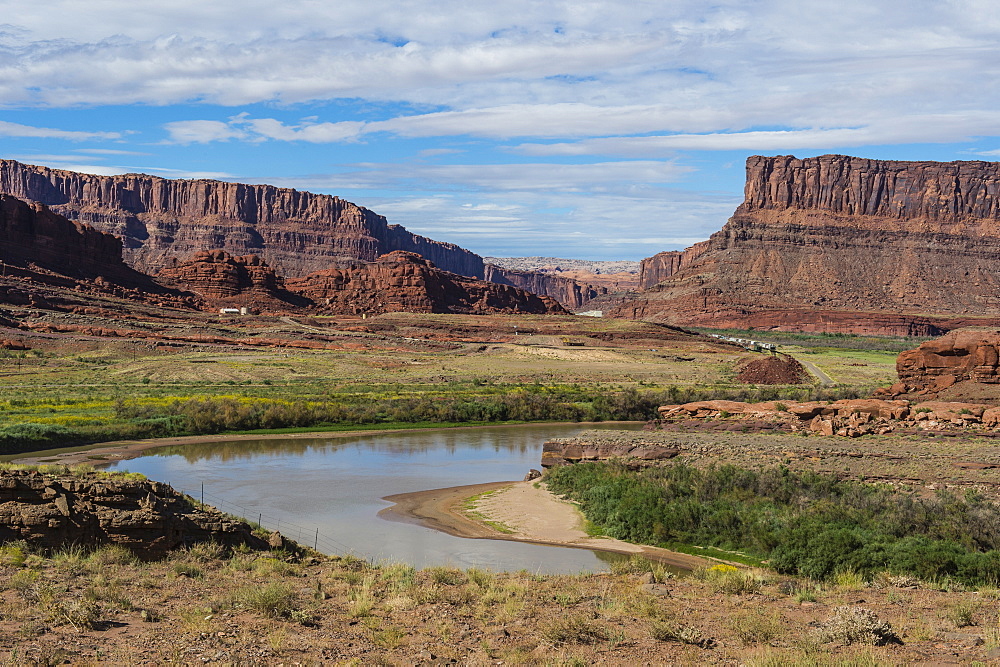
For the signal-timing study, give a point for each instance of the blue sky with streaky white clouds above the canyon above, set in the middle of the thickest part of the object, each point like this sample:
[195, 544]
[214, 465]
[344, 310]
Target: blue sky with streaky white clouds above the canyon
[589, 129]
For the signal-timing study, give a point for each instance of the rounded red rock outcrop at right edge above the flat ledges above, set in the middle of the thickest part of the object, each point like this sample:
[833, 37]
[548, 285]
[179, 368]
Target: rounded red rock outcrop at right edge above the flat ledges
[965, 355]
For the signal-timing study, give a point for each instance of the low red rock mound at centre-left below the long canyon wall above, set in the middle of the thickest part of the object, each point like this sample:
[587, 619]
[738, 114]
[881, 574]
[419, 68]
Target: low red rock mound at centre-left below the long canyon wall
[406, 282]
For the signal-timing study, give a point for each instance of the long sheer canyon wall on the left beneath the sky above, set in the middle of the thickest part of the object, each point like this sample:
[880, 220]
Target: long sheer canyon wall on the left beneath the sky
[160, 219]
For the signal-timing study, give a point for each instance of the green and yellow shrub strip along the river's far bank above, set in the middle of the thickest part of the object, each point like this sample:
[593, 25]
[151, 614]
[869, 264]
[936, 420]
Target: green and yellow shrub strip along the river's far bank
[35, 426]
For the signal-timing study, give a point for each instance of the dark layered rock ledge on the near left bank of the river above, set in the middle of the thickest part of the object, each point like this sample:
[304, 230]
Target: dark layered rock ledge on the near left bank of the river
[148, 518]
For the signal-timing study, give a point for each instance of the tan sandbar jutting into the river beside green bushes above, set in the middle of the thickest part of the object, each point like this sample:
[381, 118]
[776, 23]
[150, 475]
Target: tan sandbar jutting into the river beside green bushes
[532, 512]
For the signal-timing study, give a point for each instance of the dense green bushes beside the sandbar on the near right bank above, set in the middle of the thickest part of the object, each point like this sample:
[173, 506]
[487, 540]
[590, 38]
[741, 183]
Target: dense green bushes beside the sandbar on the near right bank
[798, 523]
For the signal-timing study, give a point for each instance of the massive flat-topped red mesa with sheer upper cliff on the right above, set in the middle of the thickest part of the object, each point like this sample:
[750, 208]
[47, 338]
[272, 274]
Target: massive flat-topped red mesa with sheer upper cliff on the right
[837, 243]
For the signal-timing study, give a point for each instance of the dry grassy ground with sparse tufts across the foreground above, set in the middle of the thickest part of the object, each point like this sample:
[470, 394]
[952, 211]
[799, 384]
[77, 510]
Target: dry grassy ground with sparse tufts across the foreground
[348, 610]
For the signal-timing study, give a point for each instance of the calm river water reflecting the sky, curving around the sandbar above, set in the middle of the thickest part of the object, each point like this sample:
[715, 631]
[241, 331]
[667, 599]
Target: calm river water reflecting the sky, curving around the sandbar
[335, 485]
